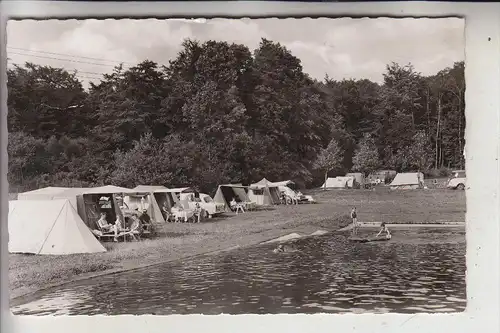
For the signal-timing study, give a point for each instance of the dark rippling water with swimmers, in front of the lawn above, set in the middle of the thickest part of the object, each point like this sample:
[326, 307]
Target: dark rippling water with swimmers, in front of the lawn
[418, 270]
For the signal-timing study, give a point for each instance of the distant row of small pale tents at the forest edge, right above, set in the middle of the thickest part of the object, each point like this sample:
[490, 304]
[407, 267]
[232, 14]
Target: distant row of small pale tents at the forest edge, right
[406, 180]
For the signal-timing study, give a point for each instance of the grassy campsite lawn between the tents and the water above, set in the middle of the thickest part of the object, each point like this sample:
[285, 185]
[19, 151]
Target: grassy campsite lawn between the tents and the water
[28, 273]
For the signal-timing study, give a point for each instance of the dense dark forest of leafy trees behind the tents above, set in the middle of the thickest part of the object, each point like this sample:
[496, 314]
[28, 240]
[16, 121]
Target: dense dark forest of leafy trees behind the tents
[219, 113]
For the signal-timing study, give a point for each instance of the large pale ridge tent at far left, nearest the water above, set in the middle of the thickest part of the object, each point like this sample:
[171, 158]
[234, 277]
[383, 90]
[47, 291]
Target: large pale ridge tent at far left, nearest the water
[48, 227]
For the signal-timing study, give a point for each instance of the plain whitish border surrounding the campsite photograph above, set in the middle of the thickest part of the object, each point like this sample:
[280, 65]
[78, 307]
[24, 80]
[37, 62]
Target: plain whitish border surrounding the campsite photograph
[482, 72]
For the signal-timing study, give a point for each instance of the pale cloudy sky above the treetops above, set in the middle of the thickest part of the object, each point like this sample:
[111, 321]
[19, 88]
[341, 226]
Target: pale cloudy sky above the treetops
[342, 48]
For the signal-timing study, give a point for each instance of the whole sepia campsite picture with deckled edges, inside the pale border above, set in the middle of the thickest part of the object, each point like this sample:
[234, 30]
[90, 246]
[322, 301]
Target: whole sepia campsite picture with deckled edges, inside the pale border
[236, 166]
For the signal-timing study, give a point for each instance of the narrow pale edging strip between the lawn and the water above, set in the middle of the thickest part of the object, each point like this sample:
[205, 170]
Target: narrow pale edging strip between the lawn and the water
[17, 298]
